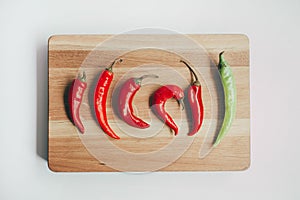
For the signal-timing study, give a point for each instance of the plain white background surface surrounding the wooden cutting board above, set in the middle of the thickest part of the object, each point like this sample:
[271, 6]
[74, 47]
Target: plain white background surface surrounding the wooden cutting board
[273, 29]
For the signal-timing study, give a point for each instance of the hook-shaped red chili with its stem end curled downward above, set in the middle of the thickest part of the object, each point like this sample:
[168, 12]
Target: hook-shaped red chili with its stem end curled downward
[160, 97]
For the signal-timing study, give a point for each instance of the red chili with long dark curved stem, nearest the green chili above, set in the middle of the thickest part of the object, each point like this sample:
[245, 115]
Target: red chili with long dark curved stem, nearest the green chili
[195, 102]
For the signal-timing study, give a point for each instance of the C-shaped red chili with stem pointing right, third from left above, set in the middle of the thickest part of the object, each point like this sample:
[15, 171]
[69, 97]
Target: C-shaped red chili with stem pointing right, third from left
[126, 95]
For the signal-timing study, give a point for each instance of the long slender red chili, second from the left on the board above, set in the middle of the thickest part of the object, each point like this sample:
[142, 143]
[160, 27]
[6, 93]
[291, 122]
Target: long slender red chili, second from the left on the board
[100, 96]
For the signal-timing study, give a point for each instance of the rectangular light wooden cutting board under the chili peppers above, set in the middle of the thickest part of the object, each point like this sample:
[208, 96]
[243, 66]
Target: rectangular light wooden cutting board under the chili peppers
[70, 151]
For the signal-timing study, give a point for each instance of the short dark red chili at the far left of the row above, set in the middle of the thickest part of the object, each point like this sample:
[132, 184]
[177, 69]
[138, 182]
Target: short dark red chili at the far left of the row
[76, 91]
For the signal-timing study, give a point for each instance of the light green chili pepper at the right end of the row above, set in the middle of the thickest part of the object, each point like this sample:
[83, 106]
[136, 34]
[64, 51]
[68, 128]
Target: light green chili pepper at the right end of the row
[229, 88]
